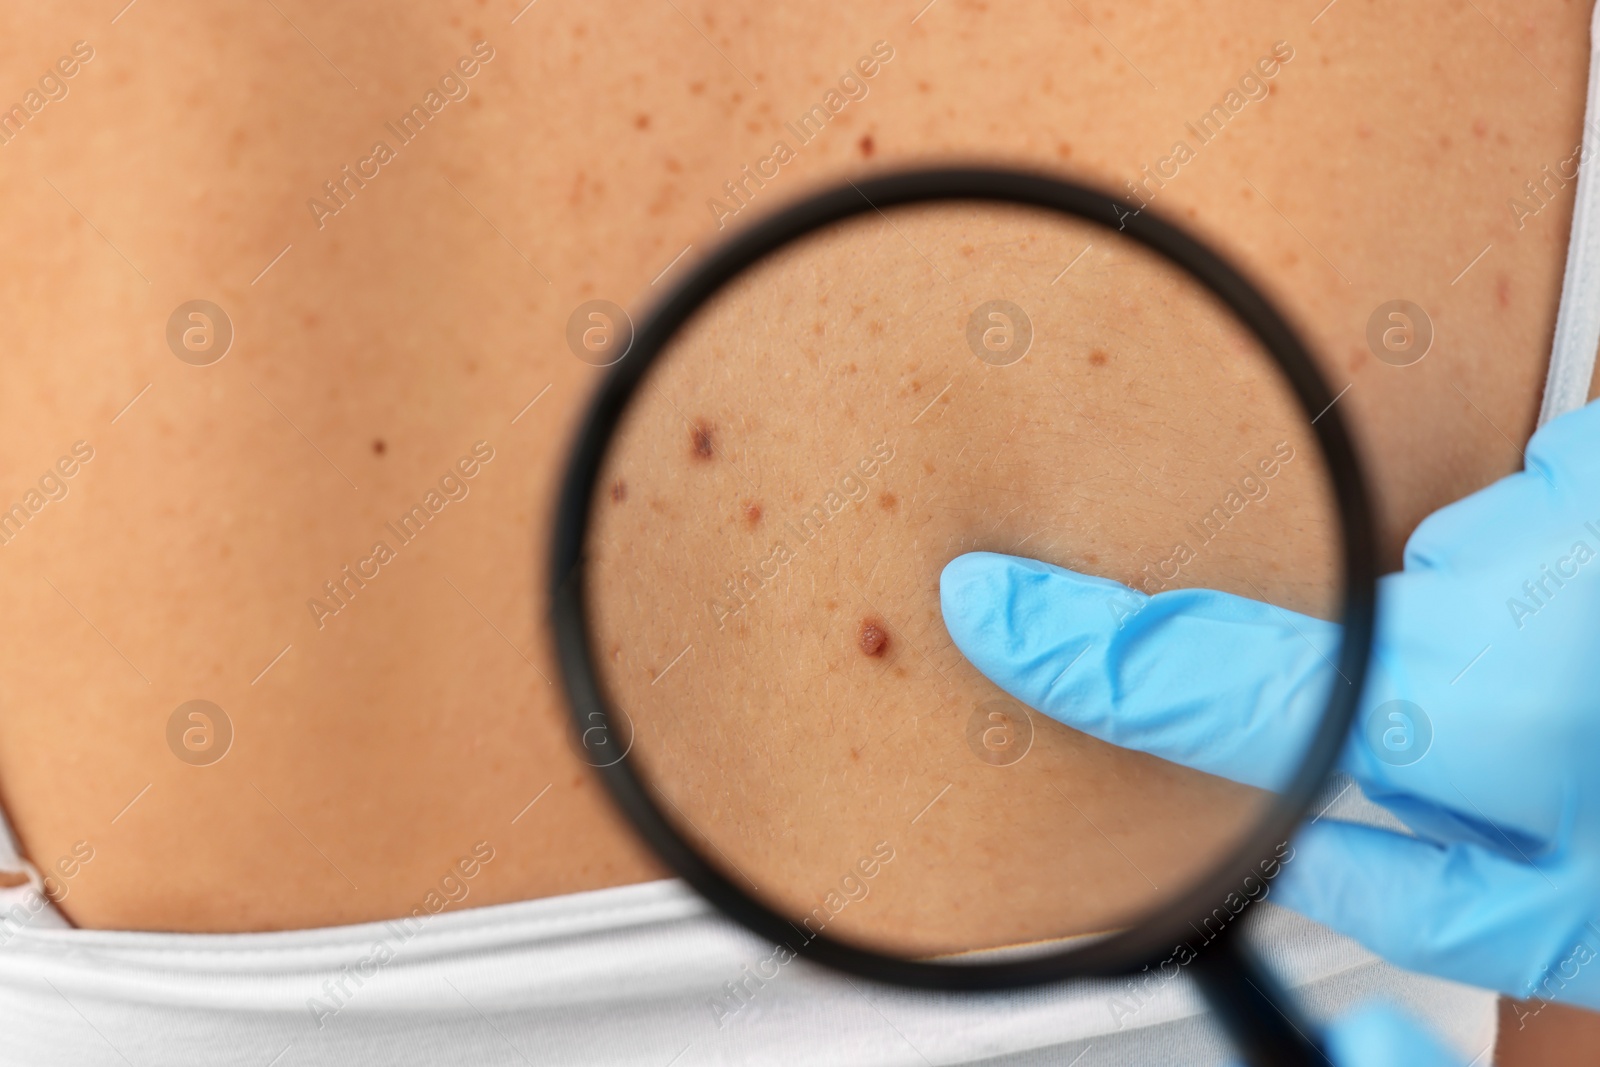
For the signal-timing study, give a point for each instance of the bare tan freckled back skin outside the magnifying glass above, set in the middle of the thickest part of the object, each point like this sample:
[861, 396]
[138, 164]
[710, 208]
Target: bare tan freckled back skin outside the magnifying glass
[428, 313]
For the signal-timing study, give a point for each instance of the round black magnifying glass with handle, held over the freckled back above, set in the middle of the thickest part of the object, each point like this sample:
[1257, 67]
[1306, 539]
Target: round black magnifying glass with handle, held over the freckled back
[801, 438]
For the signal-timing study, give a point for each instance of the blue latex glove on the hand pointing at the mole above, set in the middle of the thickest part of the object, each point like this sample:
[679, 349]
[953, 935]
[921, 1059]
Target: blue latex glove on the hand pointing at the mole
[1492, 629]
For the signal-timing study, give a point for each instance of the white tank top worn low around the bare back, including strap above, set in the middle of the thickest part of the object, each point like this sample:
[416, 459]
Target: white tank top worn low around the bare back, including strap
[650, 975]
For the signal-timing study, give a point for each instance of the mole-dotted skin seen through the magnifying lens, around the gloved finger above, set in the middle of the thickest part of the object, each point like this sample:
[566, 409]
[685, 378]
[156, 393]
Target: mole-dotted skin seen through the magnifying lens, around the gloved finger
[809, 455]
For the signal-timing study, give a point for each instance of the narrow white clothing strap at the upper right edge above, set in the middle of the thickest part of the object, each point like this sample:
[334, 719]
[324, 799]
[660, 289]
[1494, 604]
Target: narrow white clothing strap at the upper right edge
[1578, 321]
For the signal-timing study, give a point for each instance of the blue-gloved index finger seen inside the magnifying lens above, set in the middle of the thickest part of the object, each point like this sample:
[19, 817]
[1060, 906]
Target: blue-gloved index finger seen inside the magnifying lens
[1217, 682]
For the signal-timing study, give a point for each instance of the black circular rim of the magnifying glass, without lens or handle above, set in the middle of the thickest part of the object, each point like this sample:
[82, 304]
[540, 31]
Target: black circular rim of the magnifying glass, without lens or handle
[1126, 951]
